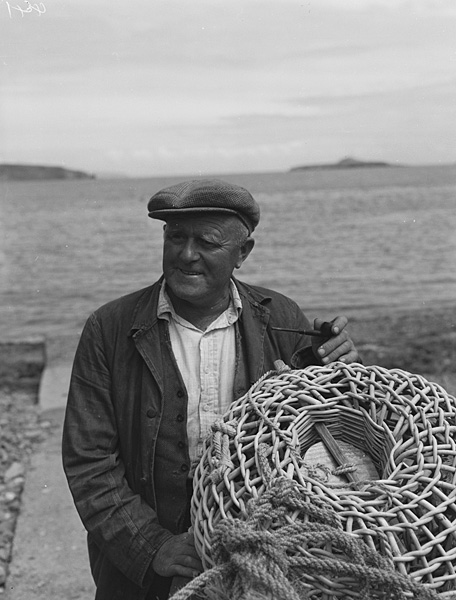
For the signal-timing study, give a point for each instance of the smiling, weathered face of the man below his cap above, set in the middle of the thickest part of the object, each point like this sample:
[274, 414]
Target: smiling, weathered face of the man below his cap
[199, 256]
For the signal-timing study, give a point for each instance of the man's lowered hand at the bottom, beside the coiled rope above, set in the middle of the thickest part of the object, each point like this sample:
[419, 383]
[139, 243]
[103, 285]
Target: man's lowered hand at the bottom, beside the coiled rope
[177, 556]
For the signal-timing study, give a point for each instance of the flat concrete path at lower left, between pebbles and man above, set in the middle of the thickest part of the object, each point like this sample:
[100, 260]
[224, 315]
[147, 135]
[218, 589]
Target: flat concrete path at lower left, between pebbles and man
[49, 559]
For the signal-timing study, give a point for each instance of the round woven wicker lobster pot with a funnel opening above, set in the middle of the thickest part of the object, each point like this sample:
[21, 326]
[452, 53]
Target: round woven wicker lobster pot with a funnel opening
[404, 423]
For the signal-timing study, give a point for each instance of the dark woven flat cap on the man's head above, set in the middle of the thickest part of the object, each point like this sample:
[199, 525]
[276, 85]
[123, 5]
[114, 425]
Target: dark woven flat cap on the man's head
[203, 195]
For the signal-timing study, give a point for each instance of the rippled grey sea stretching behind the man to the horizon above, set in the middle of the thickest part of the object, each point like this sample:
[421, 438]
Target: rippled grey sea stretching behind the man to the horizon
[364, 241]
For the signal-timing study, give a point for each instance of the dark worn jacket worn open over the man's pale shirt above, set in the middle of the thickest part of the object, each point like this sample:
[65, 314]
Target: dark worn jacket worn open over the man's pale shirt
[124, 375]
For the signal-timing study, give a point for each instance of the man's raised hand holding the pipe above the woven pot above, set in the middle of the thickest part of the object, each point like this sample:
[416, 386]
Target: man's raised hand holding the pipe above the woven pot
[337, 347]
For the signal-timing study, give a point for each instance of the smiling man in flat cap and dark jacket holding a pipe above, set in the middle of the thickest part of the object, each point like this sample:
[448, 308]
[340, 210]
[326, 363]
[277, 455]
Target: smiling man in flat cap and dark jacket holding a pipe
[155, 368]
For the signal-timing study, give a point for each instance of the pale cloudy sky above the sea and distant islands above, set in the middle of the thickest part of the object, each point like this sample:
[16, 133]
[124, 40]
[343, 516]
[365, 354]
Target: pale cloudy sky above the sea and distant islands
[176, 87]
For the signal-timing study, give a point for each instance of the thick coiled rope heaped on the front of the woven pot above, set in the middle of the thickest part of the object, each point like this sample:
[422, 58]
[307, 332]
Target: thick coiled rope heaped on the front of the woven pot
[255, 558]
